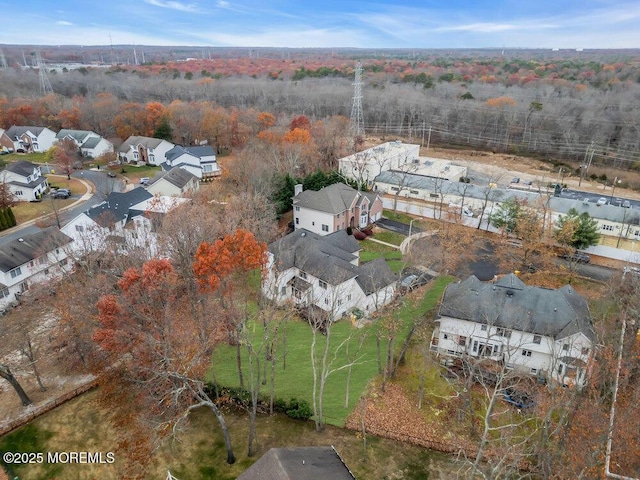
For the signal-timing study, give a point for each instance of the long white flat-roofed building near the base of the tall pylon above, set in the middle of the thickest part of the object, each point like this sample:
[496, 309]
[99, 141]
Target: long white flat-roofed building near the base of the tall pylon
[365, 165]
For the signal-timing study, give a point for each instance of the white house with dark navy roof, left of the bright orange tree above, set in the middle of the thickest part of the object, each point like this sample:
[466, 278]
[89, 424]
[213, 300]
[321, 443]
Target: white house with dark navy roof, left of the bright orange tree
[123, 222]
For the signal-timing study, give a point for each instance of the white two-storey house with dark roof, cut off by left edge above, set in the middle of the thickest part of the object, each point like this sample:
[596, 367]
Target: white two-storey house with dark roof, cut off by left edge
[32, 259]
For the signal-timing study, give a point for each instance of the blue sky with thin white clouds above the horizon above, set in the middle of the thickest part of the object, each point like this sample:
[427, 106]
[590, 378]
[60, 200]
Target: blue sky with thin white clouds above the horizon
[325, 23]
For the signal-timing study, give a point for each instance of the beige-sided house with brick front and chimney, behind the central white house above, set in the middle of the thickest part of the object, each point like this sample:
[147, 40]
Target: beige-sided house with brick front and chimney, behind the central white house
[334, 208]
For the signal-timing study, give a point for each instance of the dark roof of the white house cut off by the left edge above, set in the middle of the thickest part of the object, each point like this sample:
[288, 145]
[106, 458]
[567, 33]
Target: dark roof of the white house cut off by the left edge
[29, 247]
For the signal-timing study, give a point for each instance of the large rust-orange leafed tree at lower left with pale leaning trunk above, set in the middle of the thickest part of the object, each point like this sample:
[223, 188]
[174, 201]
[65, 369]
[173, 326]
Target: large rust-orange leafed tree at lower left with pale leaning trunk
[157, 352]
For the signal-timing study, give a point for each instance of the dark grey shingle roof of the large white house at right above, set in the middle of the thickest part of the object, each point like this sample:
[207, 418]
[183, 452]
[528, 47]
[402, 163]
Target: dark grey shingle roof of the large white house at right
[509, 303]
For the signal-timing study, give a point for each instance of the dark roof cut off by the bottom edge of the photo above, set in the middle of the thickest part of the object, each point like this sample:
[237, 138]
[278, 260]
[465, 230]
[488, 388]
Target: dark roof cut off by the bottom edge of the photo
[317, 463]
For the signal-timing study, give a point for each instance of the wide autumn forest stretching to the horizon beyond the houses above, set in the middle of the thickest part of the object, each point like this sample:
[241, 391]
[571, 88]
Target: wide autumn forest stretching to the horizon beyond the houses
[553, 105]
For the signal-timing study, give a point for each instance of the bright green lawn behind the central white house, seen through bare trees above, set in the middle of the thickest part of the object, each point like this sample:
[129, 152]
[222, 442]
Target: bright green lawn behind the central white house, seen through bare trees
[296, 380]
